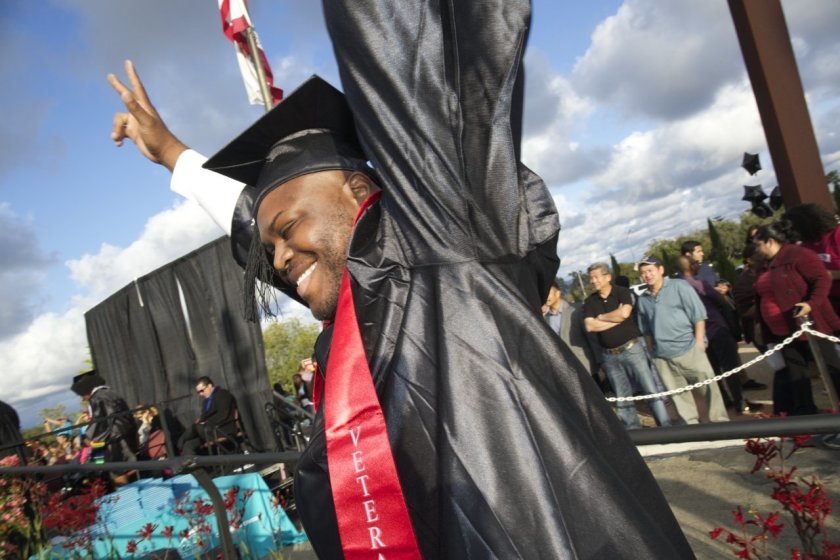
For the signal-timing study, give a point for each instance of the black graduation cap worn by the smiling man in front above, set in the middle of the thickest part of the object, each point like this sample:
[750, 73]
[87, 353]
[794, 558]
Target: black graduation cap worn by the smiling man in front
[310, 130]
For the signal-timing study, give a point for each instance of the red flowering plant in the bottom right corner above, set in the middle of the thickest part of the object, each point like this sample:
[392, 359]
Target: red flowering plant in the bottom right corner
[805, 500]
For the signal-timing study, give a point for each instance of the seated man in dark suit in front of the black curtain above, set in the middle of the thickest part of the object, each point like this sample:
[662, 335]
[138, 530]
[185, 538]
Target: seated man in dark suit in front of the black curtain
[217, 418]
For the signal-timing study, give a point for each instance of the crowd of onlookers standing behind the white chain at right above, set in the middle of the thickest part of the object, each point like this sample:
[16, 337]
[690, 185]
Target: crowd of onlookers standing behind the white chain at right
[686, 328]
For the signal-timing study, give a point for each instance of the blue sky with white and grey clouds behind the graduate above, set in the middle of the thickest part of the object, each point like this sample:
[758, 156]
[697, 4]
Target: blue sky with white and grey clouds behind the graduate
[637, 116]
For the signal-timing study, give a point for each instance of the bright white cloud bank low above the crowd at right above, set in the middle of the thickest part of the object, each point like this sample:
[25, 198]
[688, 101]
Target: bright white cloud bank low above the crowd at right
[662, 182]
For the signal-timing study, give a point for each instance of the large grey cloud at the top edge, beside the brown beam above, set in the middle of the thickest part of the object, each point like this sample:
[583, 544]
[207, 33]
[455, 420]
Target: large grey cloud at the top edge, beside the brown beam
[661, 59]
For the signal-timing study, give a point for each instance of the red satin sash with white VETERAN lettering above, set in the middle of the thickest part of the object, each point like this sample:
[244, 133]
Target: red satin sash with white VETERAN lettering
[372, 516]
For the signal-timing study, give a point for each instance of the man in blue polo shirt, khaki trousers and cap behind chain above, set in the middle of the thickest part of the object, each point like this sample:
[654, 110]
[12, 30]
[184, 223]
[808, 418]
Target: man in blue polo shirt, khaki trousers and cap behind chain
[673, 321]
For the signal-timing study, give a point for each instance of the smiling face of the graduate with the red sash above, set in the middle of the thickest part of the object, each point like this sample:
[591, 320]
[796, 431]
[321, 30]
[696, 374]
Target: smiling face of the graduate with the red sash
[305, 226]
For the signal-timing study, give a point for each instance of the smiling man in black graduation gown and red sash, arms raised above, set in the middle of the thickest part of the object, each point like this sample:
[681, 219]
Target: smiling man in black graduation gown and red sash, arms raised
[500, 449]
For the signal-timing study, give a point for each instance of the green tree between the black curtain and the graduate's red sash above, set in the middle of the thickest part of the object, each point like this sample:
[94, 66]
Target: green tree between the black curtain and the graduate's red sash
[286, 343]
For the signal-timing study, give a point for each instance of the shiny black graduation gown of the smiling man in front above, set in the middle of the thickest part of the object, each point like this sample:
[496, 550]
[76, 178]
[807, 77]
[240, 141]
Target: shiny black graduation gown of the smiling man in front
[504, 448]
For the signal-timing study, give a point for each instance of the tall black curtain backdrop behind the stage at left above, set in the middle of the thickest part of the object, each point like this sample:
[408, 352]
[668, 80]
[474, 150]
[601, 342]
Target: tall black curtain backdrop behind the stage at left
[150, 352]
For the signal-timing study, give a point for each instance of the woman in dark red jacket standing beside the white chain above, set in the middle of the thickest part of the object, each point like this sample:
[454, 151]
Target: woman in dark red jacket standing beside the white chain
[793, 283]
